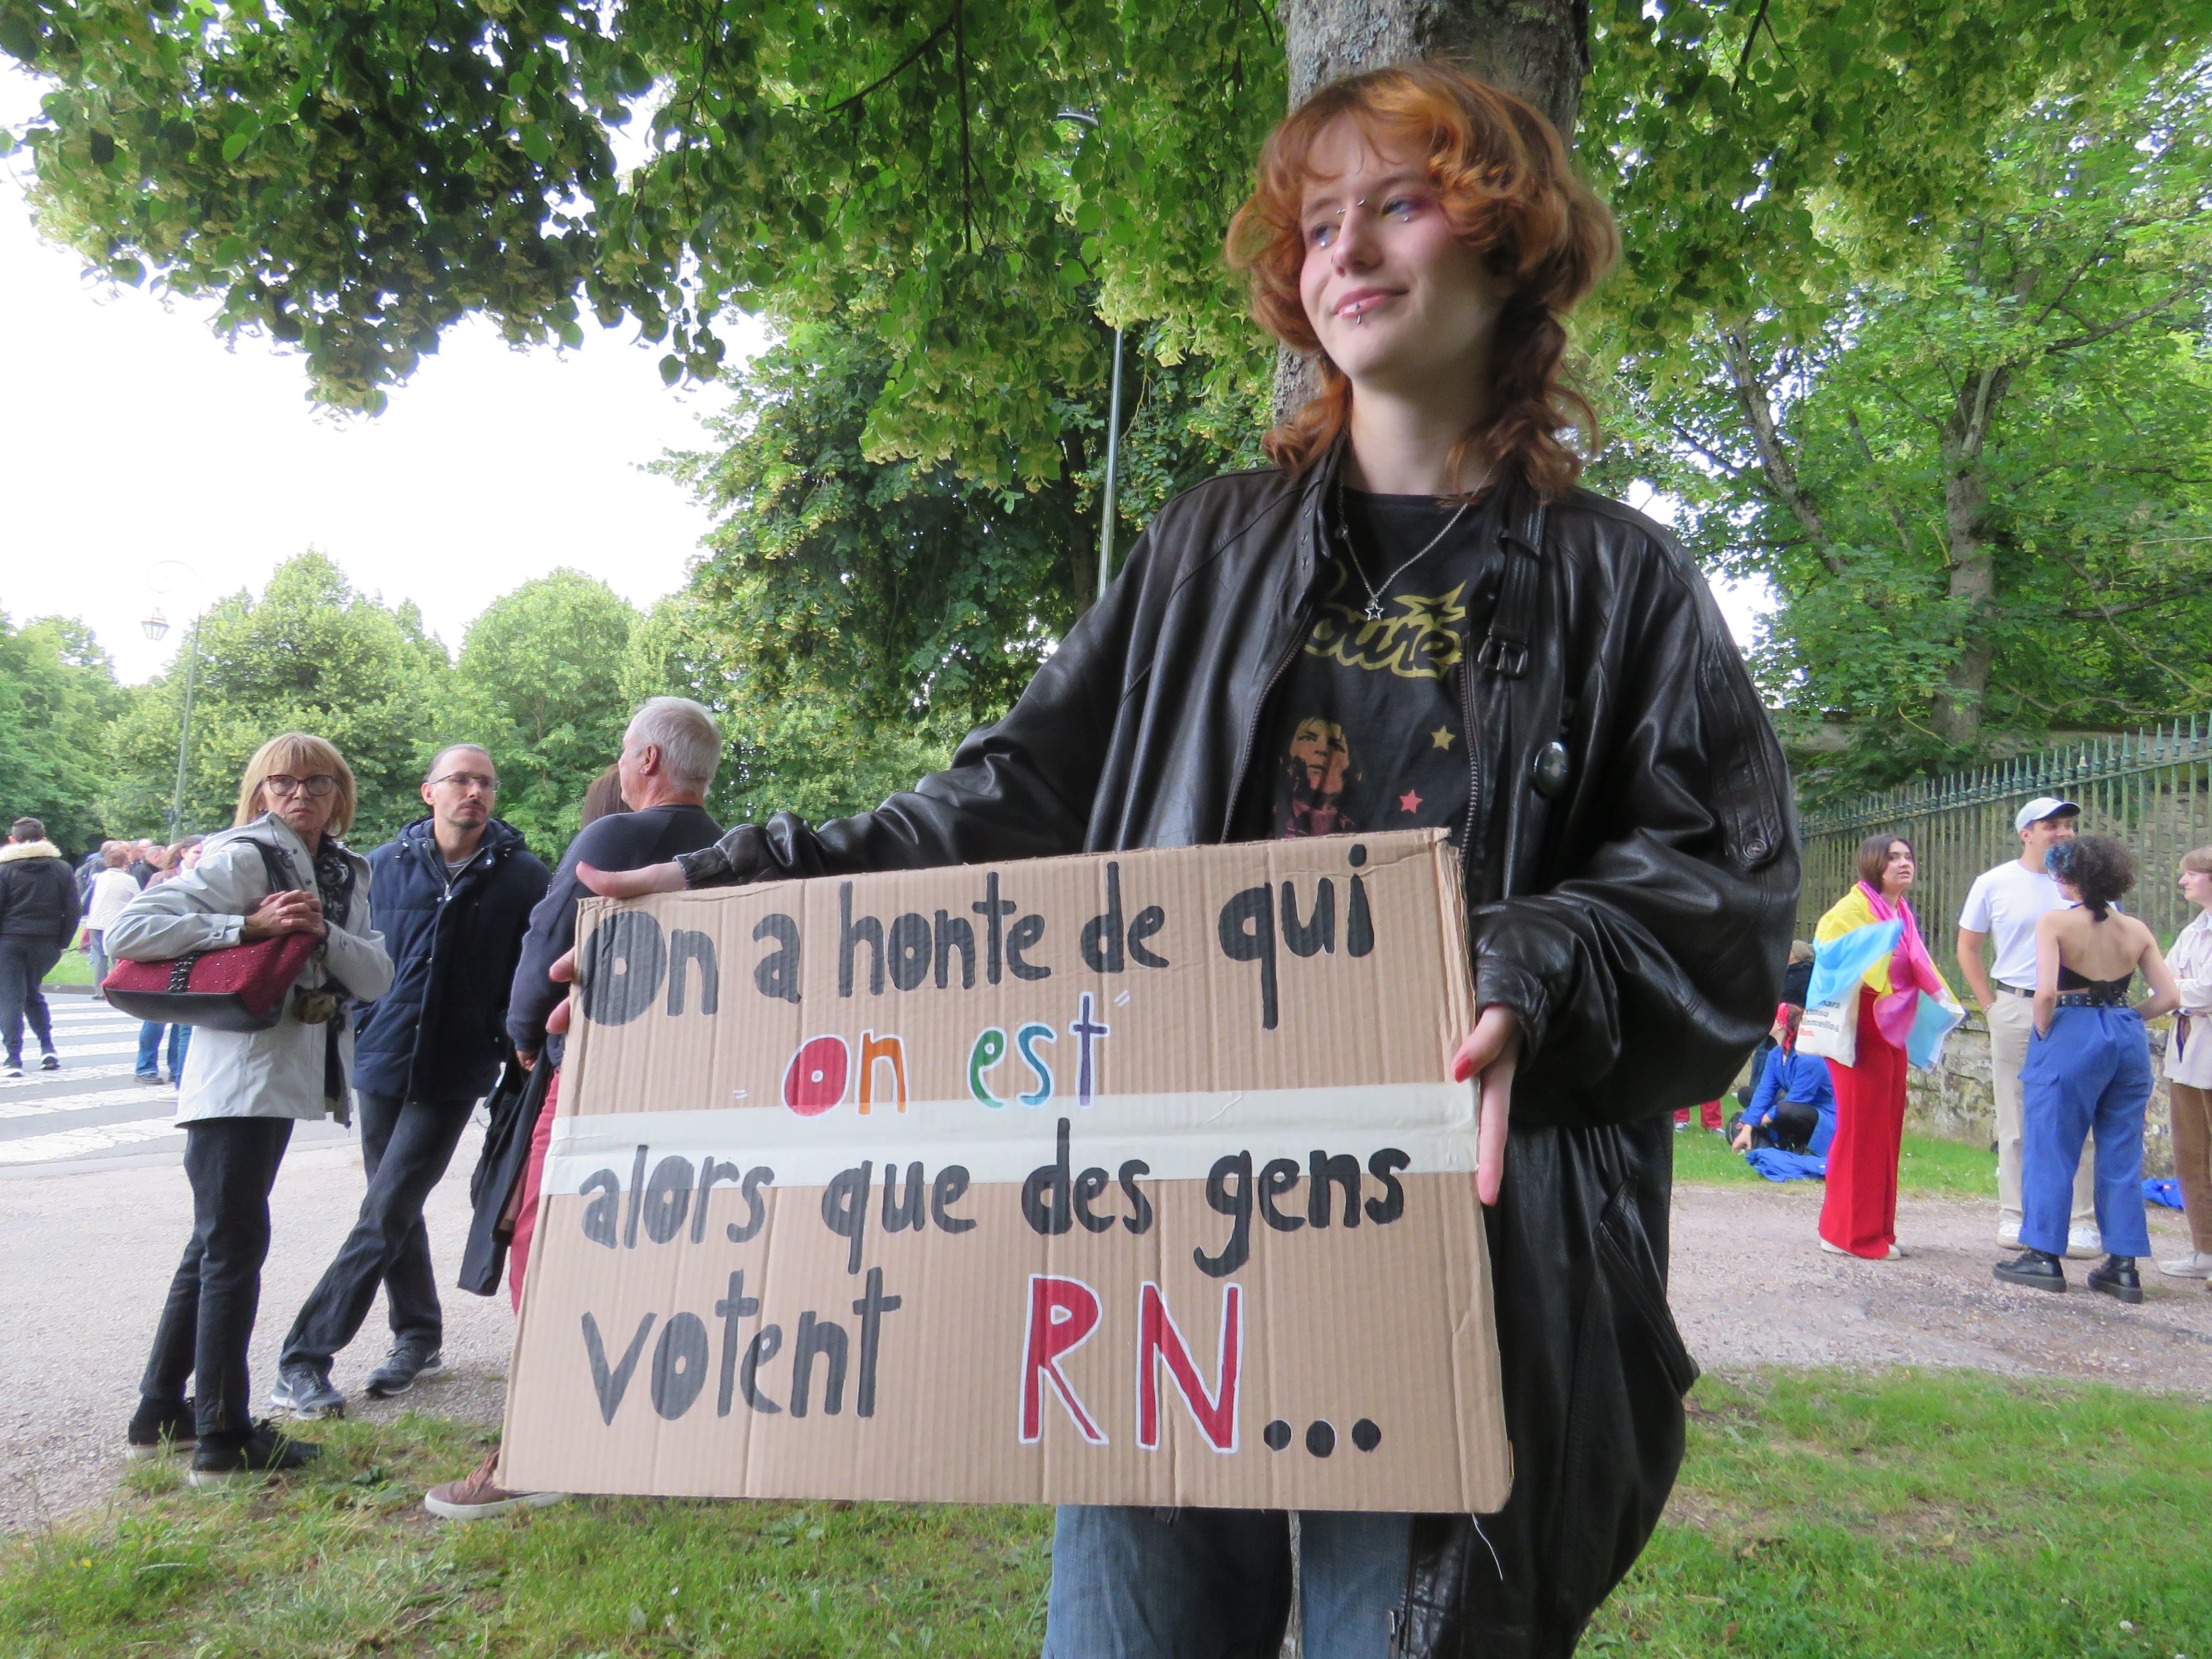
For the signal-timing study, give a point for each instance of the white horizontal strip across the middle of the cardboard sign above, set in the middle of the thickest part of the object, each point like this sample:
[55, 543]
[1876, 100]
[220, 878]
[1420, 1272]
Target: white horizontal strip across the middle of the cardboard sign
[1178, 1136]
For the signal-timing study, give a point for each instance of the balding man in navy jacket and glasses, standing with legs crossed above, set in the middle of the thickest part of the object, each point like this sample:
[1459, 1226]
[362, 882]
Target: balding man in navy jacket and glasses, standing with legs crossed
[452, 897]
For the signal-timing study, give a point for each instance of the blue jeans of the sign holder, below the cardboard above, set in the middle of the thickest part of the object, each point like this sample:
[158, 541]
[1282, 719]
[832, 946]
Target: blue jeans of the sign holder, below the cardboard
[1215, 1583]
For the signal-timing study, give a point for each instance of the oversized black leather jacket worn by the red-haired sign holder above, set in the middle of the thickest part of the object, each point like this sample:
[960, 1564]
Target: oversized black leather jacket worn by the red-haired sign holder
[1631, 899]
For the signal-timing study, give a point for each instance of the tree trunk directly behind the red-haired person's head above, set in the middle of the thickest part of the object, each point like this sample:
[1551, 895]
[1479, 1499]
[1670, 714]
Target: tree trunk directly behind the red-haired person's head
[1538, 50]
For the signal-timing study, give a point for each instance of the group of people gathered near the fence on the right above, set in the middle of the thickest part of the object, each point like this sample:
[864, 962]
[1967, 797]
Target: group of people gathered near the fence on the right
[2049, 957]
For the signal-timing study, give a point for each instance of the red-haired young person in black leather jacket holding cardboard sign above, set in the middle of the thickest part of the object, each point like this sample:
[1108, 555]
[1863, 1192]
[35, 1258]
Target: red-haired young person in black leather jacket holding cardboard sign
[1415, 618]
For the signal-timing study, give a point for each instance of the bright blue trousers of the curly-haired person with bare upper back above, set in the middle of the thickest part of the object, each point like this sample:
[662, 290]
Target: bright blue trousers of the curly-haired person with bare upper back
[2091, 1076]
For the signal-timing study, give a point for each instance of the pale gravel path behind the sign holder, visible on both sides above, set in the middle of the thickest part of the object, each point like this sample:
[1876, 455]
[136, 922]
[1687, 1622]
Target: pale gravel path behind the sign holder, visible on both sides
[87, 1253]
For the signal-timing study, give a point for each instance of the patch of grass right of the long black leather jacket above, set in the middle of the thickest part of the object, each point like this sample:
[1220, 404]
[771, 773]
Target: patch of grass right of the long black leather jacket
[1941, 1514]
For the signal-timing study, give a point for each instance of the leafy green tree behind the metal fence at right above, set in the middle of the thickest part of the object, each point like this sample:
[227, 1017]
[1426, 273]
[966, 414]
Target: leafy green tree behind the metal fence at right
[1981, 486]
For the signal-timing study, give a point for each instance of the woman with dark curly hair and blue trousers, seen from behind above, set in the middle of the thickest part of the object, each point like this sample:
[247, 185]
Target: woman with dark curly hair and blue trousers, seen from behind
[2089, 1070]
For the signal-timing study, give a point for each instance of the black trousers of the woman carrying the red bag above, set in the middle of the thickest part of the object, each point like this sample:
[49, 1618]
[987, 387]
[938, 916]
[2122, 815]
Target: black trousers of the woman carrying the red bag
[209, 1317]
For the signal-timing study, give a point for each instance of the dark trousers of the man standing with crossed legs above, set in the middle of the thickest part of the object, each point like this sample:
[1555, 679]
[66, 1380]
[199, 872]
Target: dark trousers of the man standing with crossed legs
[406, 1147]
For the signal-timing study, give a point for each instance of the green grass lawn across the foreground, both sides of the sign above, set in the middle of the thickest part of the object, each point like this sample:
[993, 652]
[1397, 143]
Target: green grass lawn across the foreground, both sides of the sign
[1819, 1519]
